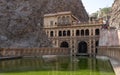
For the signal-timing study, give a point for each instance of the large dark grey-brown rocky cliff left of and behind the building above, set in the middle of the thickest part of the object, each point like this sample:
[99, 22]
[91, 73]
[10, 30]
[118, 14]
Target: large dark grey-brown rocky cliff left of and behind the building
[21, 21]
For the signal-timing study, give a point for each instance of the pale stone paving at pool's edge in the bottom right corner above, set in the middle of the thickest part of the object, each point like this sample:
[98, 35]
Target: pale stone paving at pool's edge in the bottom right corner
[116, 66]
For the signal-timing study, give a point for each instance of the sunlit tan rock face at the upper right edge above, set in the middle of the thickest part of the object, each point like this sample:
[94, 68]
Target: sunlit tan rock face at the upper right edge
[115, 15]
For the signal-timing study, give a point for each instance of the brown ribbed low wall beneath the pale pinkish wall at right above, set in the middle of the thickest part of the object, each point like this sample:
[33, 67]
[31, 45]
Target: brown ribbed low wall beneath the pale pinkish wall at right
[113, 52]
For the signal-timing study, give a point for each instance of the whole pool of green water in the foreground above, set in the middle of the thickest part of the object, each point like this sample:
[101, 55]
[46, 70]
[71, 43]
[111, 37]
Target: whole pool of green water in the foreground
[56, 66]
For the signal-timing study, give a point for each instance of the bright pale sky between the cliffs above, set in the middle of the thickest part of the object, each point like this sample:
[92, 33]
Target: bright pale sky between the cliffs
[92, 6]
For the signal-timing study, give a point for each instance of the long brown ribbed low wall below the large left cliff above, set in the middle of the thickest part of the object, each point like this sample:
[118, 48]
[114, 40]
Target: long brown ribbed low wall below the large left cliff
[6, 52]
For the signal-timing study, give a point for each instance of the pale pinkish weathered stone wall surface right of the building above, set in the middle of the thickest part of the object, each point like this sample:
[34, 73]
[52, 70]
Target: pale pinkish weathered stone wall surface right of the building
[109, 37]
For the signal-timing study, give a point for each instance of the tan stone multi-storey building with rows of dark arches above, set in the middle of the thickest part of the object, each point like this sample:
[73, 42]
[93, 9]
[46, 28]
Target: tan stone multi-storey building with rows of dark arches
[65, 30]
